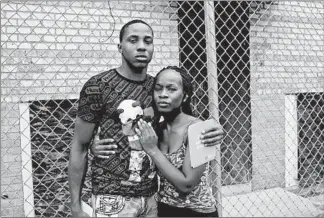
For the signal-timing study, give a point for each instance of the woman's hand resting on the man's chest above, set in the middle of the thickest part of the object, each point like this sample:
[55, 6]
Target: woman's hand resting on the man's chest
[147, 136]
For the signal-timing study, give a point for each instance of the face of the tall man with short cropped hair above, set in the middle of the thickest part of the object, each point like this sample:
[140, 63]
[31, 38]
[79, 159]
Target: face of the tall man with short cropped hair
[136, 46]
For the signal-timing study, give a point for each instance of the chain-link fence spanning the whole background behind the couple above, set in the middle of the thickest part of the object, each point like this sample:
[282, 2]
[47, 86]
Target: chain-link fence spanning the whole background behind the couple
[257, 66]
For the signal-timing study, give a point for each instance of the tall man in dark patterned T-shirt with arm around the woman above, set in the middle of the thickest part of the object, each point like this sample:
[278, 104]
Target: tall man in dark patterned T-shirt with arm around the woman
[124, 183]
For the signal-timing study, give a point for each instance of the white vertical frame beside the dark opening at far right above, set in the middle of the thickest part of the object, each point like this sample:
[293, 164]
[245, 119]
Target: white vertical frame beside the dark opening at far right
[291, 141]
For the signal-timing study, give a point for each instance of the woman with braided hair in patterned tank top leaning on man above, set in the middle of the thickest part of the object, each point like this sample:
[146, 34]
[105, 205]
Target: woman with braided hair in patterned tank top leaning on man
[184, 190]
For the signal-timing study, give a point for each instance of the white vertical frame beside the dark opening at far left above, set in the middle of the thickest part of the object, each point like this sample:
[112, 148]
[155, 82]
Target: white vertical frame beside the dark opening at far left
[26, 160]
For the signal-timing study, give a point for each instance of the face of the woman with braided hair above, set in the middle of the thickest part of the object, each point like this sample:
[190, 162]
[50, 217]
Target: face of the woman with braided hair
[168, 91]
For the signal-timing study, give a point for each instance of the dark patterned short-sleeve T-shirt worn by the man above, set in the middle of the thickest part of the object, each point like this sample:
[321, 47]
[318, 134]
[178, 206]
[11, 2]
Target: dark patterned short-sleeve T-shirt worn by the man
[129, 172]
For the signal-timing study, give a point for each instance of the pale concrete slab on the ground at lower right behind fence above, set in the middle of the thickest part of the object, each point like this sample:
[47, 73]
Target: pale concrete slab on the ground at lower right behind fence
[275, 202]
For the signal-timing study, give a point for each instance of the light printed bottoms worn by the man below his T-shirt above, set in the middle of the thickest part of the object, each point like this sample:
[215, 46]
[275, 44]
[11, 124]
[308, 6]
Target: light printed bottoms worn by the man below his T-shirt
[120, 206]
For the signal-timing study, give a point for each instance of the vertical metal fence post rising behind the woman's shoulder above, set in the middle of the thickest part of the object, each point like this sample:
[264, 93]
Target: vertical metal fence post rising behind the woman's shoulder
[213, 93]
